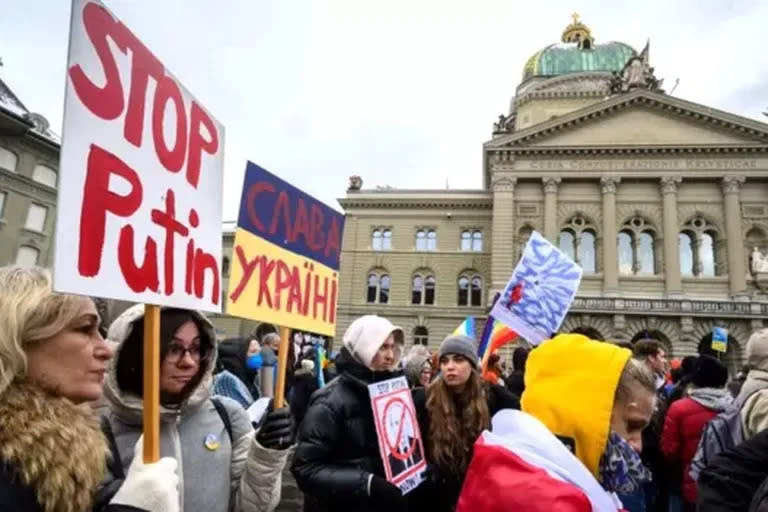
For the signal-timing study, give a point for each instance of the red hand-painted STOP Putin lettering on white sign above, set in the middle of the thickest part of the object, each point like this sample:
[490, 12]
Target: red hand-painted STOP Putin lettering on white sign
[196, 134]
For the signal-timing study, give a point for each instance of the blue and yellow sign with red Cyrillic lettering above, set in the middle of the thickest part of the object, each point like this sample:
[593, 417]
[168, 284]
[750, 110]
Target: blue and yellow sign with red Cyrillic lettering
[285, 264]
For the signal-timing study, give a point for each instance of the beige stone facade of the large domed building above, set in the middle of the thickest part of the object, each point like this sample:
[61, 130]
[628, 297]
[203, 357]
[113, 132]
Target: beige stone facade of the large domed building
[640, 167]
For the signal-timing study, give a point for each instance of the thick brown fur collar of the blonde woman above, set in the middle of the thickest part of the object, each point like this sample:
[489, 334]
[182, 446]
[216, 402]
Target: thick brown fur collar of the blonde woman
[53, 446]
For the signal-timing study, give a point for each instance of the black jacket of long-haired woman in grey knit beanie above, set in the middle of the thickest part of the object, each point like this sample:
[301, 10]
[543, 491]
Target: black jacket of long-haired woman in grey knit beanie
[440, 492]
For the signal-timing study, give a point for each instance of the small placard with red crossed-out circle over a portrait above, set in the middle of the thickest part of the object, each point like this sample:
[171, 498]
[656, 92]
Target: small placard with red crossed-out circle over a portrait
[400, 444]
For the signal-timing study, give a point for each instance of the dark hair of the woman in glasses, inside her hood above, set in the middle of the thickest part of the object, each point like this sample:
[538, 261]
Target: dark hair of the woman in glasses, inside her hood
[130, 367]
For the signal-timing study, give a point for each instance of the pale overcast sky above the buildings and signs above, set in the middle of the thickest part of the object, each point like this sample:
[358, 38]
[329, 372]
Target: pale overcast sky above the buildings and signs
[401, 92]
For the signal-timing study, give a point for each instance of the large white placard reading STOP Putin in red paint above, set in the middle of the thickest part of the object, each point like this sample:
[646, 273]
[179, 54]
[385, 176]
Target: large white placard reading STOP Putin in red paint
[140, 192]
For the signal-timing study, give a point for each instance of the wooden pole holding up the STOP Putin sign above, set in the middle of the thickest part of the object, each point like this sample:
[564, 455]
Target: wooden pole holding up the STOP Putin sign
[151, 383]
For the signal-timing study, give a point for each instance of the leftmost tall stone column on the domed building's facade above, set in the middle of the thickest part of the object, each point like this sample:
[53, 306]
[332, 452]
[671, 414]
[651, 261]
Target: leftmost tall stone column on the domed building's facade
[502, 232]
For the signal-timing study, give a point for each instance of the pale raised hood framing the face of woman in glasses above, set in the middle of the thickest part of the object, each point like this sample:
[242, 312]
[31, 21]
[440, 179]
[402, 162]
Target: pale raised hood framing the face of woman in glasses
[127, 406]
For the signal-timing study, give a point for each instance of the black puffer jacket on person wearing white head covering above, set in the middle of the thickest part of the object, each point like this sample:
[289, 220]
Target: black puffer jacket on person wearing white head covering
[338, 448]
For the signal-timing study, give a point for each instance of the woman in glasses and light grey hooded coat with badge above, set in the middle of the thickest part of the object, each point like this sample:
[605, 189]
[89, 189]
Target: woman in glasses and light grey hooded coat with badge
[223, 464]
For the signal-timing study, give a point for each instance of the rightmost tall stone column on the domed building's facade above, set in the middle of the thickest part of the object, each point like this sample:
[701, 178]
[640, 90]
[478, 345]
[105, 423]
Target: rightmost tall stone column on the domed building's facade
[737, 268]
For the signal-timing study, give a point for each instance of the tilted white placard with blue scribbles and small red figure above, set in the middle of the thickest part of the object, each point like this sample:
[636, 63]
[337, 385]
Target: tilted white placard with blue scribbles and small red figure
[542, 288]
